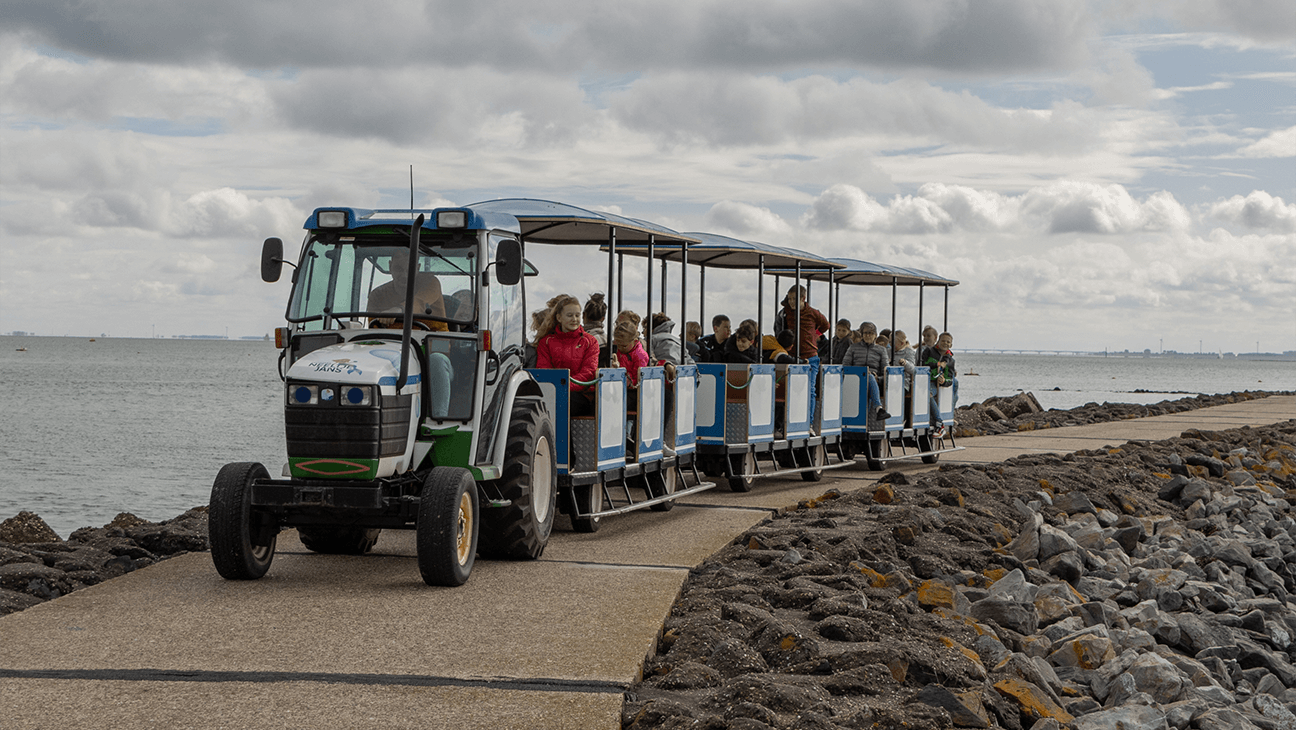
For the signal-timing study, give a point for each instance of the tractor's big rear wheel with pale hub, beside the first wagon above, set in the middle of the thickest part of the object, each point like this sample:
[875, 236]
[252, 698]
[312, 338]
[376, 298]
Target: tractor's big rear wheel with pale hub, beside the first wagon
[531, 479]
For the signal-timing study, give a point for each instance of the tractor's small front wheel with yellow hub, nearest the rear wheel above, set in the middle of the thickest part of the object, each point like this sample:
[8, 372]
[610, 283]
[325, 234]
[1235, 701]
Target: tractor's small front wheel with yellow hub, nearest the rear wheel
[448, 528]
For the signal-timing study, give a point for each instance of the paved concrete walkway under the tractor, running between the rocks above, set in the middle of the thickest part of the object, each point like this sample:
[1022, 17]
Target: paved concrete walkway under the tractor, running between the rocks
[361, 642]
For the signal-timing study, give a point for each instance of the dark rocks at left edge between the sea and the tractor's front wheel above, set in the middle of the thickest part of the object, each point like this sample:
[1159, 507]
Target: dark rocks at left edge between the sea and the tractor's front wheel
[37, 565]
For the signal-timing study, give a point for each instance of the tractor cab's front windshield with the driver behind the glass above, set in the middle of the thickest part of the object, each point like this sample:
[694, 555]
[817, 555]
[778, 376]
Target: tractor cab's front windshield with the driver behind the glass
[362, 278]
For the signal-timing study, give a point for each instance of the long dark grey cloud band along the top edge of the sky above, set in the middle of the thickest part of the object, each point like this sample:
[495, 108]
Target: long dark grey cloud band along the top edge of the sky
[989, 36]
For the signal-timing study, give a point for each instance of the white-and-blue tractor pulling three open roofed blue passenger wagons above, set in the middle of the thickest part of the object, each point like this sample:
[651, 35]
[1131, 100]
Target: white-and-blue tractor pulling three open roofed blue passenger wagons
[409, 405]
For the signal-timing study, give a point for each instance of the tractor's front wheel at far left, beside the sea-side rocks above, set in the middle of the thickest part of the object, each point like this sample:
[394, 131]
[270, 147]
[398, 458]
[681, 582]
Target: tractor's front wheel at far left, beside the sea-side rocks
[243, 541]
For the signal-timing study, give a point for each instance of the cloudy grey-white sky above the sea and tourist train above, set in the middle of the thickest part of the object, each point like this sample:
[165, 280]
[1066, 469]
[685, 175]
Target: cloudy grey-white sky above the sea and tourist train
[1094, 174]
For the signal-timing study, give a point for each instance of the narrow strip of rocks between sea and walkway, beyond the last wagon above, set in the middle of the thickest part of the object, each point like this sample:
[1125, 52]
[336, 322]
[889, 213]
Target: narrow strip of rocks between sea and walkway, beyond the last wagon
[1023, 413]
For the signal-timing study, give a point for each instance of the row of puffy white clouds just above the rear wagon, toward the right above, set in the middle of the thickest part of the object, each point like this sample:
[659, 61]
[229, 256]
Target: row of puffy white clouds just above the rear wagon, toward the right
[1058, 208]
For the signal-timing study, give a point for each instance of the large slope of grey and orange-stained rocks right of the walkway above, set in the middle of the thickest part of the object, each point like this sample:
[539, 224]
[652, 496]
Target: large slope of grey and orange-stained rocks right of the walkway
[1142, 587]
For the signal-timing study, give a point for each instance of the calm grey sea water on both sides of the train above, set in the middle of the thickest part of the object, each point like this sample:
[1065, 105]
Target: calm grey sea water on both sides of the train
[91, 429]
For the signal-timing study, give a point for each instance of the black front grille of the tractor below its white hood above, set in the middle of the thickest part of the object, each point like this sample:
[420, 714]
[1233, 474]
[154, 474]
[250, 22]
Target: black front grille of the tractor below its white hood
[332, 431]
